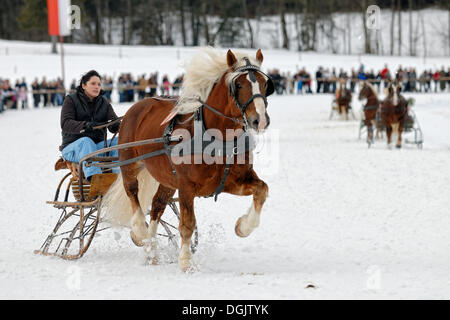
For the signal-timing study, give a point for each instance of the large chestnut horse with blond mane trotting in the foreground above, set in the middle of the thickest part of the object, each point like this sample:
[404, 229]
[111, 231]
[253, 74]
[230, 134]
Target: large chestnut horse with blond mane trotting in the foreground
[226, 92]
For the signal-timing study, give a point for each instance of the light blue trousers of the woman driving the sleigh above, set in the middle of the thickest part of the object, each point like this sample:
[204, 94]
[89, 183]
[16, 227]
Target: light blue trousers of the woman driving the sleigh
[83, 146]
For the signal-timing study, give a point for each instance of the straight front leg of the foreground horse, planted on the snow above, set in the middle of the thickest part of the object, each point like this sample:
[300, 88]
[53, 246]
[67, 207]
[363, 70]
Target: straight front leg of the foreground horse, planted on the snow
[186, 227]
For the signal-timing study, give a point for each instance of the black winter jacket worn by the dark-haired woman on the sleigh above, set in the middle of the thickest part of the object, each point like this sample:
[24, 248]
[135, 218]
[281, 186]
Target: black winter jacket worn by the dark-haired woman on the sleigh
[78, 109]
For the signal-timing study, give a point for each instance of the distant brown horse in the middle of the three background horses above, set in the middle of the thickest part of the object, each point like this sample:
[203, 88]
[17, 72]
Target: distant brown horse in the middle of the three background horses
[370, 108]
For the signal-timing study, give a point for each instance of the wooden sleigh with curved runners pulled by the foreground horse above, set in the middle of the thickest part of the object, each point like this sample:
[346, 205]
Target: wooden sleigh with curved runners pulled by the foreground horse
[79, 204]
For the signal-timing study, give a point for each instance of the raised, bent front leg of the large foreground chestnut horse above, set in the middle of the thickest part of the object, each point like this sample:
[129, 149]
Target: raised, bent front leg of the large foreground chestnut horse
[251, 185]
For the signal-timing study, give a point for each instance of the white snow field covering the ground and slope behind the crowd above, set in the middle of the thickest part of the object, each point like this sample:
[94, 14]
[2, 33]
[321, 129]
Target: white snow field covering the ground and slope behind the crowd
[353, 222]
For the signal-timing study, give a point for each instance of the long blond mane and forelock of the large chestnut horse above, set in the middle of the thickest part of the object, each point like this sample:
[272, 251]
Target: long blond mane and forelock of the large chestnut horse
[202, 71]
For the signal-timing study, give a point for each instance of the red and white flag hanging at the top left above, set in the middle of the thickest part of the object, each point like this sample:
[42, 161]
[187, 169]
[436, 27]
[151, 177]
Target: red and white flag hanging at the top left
[59, 20]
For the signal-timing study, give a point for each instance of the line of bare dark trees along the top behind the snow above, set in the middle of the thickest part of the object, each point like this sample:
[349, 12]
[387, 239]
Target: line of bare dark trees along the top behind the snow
[199, 22]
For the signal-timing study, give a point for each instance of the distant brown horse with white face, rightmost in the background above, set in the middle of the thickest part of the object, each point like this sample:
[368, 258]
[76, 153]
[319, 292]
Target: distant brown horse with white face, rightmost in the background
[394, 113]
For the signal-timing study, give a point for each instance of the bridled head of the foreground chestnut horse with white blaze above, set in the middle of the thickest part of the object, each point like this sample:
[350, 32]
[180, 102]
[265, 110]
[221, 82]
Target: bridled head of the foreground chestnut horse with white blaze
[249, 88]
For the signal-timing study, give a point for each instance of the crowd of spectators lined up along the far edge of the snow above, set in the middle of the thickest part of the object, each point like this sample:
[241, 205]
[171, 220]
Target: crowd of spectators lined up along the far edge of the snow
[47, 93]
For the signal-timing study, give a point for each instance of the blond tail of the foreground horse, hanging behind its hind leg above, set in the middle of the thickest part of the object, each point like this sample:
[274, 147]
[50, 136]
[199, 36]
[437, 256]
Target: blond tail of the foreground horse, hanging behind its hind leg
[116, 206]
